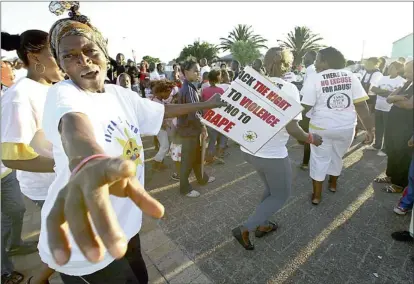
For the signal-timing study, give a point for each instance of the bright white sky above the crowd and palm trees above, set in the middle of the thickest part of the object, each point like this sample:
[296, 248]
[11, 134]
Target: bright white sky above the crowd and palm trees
[160, 30]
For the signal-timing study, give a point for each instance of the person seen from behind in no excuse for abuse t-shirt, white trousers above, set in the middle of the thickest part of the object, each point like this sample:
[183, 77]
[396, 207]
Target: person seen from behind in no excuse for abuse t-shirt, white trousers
[333, 96]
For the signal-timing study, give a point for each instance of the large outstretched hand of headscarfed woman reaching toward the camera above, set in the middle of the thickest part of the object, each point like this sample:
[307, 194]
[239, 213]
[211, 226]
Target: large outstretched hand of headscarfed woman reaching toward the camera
[85, 201]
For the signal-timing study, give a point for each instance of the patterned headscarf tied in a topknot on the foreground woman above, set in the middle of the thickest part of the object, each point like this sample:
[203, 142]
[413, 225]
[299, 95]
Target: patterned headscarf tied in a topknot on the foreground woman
[75, 25]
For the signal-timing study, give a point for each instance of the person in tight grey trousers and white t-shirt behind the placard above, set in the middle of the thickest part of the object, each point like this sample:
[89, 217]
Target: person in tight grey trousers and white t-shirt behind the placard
[272, 161]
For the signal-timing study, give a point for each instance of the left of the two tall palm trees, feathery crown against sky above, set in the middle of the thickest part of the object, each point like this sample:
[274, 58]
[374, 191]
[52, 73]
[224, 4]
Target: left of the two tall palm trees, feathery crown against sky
[242, 33]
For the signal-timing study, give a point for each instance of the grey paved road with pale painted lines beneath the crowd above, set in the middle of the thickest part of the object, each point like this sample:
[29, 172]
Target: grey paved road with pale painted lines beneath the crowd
[346, 239]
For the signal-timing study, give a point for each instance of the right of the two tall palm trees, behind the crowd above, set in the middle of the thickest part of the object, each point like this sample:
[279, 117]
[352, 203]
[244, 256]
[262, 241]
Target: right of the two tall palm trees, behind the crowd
[300, 41]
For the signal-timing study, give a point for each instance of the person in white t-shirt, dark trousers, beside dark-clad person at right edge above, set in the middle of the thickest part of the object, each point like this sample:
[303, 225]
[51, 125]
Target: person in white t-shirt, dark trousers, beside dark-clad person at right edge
[383, 88]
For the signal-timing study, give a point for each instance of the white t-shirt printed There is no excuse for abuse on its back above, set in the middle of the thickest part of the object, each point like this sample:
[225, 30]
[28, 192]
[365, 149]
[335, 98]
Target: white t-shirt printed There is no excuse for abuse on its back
[332, 94]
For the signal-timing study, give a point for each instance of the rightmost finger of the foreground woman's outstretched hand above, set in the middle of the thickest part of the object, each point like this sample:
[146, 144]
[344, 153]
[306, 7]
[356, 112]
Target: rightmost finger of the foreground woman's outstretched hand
[143, 200]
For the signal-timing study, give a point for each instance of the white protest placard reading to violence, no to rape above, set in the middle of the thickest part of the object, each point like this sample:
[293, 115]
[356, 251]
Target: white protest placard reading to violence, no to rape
[257, 110]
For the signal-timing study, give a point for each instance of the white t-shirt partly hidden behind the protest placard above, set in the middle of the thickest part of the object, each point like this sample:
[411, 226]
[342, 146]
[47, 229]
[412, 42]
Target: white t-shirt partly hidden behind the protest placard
[276, 147]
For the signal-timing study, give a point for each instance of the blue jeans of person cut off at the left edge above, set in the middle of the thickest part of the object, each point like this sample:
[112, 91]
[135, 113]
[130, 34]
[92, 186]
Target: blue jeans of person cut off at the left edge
[12, 213]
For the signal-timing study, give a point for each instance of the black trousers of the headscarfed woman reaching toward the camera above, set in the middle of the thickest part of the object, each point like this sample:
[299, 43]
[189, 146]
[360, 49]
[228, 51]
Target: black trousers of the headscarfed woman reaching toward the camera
[130, 269]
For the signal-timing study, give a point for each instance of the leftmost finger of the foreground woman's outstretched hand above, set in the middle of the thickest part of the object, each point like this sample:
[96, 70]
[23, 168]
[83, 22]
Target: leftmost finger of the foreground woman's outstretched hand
[57, 231]
